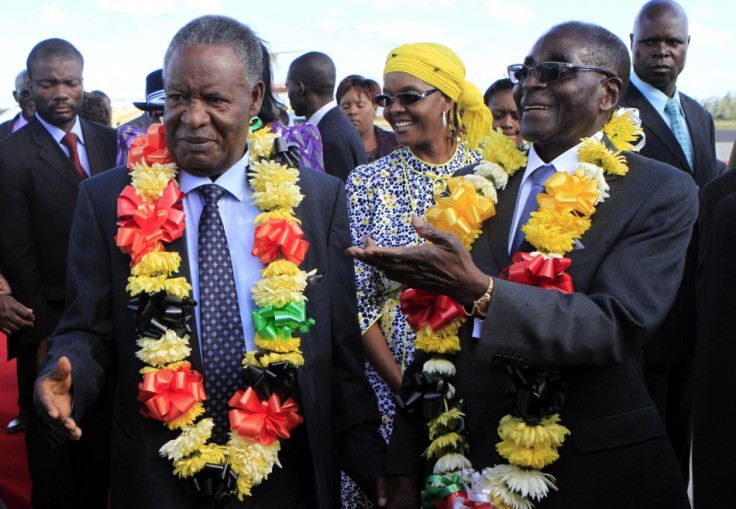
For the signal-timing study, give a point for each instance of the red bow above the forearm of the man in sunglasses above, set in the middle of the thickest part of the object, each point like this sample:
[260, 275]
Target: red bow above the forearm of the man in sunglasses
[538, 270]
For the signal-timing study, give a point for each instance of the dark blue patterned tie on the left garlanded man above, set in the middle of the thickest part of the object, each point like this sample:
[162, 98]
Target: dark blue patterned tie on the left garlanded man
[222, 330]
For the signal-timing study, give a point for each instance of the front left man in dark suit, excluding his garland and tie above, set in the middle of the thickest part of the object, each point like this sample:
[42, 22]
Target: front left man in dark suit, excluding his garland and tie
[212, 75]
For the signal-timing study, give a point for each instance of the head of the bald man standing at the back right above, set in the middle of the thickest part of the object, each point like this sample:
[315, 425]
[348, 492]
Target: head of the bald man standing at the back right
[659, 44]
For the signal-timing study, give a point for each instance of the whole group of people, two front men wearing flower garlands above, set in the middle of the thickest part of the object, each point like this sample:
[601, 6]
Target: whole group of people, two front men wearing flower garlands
[211, 307]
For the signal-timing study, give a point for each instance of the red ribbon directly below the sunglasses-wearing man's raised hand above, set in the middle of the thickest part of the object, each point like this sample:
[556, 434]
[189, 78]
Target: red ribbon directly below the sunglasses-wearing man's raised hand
[422, 307]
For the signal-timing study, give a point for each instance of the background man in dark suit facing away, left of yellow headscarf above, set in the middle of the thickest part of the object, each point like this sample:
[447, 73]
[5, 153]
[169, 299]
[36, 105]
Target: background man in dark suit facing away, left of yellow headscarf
[311, 84]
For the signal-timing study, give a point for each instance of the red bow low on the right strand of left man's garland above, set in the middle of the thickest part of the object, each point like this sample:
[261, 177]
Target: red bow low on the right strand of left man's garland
[263, 420]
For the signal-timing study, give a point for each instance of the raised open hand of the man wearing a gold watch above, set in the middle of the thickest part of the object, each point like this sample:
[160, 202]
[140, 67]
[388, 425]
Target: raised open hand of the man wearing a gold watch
[444, 266]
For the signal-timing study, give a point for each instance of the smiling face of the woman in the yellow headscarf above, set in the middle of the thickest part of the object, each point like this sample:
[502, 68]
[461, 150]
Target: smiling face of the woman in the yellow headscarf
[418, 124]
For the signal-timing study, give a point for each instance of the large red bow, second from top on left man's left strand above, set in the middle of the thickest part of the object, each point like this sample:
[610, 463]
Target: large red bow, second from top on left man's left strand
[143, 226]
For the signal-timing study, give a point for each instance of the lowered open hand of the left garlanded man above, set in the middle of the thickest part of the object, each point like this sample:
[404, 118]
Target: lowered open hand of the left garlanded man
[53, 400]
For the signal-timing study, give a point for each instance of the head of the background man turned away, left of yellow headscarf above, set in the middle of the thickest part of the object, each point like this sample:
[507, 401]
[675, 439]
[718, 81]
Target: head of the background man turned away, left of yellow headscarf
[310, 82]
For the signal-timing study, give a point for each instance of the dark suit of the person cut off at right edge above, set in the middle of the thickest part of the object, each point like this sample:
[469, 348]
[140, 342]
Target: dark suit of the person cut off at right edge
[713, 380]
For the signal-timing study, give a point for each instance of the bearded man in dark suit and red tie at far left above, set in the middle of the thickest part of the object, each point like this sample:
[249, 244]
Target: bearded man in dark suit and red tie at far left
[39, 184]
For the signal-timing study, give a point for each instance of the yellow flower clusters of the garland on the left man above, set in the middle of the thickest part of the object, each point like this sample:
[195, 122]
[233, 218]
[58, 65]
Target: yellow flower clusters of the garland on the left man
[276, 193]
